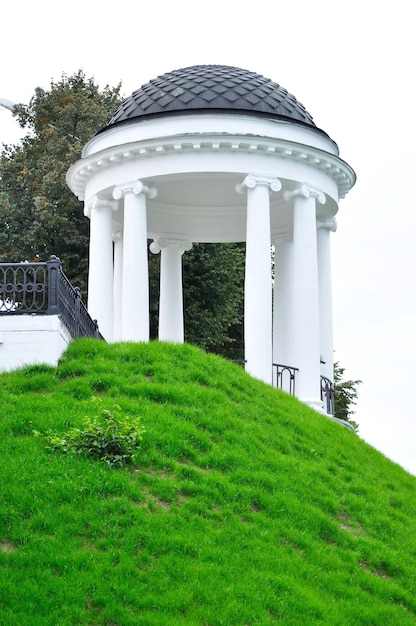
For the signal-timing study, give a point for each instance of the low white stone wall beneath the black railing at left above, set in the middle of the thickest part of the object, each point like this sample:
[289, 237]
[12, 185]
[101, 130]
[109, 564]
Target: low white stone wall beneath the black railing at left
[31, 339]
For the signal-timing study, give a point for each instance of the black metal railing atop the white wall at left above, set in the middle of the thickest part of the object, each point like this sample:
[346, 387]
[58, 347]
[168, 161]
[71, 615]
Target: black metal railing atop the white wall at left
[43, 289]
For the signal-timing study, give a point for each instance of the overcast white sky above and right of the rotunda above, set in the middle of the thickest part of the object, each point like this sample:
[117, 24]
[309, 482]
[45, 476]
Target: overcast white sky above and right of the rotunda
[352, 66]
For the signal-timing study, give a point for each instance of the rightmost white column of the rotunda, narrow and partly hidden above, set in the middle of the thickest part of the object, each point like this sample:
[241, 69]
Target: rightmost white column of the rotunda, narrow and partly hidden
[325, 227]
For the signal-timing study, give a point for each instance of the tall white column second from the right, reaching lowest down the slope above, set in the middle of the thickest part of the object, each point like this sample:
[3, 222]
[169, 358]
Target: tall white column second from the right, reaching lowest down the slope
[305, 339]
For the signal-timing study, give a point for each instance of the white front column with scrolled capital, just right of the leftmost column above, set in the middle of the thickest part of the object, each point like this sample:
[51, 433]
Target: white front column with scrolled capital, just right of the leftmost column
[135, 284]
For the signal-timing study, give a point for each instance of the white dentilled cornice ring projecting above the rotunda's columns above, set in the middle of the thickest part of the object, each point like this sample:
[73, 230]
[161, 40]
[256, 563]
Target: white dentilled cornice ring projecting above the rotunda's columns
[80, 172]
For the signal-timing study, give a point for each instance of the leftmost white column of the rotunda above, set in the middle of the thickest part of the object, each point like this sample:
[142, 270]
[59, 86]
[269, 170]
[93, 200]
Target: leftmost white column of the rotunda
[100, 273]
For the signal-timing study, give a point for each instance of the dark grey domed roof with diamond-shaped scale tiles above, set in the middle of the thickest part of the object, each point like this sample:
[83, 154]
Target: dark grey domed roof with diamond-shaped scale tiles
[211, 88]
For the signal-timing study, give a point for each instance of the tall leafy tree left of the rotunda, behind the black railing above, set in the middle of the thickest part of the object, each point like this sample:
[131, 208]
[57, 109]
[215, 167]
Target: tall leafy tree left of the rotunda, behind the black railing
[40, 216]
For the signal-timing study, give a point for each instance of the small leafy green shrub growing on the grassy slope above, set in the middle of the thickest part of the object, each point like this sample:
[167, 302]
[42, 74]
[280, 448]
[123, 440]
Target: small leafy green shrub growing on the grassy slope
[109, 436]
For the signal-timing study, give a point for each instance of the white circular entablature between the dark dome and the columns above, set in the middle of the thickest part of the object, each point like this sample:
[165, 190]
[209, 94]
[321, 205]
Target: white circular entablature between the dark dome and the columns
[276, 139]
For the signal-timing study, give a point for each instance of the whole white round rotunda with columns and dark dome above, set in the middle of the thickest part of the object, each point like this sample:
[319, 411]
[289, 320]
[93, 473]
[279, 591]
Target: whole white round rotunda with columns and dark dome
[217, 154]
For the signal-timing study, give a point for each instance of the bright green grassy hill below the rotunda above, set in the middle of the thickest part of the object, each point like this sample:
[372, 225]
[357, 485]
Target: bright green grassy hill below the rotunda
[244, 507]
